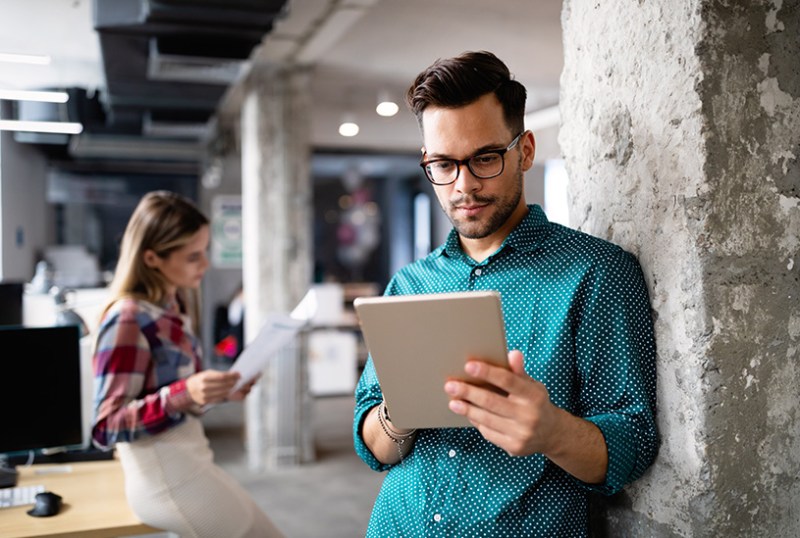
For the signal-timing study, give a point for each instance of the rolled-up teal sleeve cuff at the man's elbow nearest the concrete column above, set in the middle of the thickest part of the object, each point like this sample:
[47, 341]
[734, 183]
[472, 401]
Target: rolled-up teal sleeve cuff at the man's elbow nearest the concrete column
[622, 452]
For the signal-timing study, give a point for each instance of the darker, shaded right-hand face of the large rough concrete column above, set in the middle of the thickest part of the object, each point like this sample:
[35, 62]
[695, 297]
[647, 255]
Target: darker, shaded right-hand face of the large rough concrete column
[751, 105]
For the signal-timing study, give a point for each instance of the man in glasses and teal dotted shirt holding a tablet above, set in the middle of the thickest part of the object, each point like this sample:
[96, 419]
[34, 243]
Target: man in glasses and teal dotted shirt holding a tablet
[575, 413]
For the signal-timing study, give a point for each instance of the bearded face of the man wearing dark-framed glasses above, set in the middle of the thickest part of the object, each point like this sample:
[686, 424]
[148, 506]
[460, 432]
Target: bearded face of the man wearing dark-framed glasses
[478, 208]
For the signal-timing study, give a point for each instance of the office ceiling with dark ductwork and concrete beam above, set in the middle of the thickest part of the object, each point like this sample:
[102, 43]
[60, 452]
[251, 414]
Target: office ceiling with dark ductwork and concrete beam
[148, 78]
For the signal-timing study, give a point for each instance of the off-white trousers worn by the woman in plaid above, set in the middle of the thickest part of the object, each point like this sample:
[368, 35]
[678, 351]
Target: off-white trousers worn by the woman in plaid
[173, 484]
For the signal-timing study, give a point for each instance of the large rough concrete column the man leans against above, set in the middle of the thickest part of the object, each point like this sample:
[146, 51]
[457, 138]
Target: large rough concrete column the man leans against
[681, 133]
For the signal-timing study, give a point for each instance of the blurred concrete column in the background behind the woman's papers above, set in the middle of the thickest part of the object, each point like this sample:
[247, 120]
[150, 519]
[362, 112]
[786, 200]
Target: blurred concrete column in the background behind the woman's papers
[276, 216]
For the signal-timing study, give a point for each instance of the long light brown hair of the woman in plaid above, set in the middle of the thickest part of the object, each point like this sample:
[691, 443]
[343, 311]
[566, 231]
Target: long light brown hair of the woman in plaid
[163, 221]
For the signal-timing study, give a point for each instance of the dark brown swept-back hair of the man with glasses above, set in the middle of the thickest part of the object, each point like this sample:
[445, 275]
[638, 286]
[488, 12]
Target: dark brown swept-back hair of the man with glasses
[462, 80]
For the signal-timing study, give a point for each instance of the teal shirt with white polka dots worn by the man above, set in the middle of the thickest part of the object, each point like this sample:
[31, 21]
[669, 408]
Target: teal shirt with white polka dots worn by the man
[578, 308]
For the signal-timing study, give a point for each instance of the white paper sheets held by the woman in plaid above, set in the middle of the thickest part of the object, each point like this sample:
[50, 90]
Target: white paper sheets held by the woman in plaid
[278, 330]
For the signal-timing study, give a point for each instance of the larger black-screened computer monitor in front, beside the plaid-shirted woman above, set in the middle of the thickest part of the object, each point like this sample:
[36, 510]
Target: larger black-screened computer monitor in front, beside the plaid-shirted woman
[40, 390]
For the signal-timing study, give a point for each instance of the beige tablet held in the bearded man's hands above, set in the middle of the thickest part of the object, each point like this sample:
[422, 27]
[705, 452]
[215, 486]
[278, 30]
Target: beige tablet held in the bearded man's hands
[417, 342]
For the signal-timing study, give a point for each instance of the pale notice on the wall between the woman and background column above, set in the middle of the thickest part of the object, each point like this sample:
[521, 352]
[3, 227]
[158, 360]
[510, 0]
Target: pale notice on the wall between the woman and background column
[226, 231]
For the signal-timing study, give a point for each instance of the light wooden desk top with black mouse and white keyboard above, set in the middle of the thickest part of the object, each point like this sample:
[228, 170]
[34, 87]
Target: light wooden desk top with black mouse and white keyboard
[94, 503]
